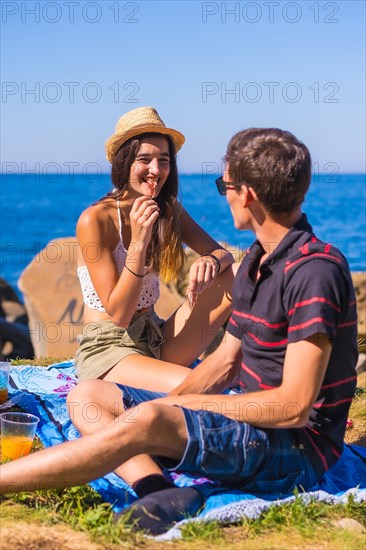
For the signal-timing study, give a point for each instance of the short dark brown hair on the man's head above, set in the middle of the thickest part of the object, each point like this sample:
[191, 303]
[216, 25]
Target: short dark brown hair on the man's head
[274, 163]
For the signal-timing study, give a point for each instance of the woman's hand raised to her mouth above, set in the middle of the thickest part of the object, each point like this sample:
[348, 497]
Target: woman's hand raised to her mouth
[144, 213]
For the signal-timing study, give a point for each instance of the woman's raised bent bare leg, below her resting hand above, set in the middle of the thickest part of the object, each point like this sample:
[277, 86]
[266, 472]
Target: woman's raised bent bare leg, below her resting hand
[188, 331]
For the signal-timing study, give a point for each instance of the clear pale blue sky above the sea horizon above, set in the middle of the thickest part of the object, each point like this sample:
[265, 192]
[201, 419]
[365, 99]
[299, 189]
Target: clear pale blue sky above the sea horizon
[296, 65]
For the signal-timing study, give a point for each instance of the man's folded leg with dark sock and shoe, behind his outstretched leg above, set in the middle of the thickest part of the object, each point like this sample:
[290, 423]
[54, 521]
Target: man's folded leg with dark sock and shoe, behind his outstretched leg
[94, 404]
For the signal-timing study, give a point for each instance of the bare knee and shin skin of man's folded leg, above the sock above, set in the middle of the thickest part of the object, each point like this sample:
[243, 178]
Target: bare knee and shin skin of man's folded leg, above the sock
[94, 404]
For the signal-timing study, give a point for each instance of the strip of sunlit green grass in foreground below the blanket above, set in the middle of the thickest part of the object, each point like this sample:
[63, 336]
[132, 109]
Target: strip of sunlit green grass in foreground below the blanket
[82, 509]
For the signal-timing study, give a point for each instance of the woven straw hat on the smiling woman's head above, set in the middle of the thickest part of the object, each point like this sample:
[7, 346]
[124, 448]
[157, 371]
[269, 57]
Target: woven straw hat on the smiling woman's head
[136, 122]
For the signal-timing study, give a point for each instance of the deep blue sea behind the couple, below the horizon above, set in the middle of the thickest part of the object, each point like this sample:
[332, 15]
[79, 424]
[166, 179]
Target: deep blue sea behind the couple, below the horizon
[37, 208]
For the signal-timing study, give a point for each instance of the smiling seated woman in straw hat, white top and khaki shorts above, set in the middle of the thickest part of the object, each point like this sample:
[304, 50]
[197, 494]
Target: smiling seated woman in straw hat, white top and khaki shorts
[138, 231]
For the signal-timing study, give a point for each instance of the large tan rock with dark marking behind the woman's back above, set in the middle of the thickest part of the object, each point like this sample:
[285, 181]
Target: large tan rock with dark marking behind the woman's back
[53, 299]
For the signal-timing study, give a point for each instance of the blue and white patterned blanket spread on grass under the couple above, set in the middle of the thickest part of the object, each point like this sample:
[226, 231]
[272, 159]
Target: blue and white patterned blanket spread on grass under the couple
[42, 391]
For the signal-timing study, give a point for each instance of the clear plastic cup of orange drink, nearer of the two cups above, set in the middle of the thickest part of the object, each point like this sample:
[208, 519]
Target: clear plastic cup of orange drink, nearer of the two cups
[17, 434]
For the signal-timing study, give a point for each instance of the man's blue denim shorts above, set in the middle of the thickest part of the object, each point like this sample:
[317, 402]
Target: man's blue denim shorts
[262, 461]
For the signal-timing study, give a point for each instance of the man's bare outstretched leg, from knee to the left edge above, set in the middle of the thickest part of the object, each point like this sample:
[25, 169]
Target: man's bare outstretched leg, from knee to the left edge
[150, 428]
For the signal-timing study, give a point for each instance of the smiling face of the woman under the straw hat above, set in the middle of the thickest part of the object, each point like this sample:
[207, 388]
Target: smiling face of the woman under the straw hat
[151, 166]
